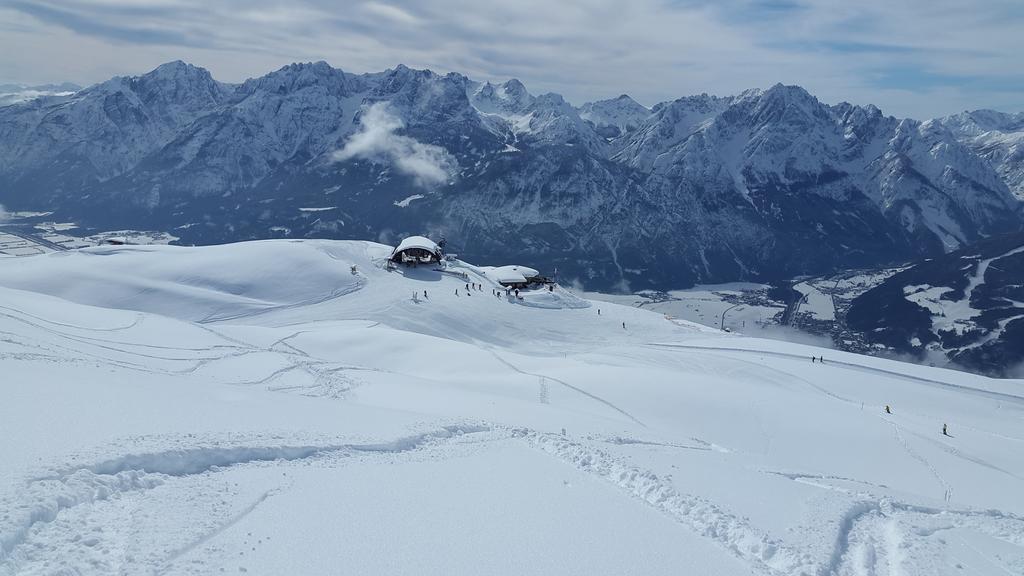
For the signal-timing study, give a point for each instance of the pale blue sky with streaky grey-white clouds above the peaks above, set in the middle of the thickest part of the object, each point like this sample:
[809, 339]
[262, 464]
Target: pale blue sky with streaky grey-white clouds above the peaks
[912, 58]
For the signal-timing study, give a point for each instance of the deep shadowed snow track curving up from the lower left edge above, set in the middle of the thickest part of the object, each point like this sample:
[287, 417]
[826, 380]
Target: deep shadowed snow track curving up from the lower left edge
[49, 497]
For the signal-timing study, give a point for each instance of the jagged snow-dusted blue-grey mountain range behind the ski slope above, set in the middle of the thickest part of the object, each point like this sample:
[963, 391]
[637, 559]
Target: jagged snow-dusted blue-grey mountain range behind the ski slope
[765, 185]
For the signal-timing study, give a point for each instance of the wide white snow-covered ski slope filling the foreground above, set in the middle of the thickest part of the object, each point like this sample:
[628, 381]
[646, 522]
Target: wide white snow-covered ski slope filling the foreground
[266, 408]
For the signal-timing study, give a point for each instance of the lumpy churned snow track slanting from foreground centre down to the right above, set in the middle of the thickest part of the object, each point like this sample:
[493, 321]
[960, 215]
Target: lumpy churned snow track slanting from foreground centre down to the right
[733, 532]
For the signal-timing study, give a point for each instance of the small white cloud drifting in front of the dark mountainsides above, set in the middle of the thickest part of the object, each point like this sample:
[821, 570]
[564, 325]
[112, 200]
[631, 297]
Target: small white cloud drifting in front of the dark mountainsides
[377, 140]
